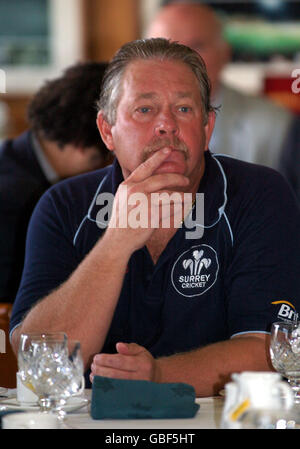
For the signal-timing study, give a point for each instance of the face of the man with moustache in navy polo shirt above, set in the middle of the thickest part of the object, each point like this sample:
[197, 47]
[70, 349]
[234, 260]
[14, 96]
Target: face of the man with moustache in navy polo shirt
[160, 106]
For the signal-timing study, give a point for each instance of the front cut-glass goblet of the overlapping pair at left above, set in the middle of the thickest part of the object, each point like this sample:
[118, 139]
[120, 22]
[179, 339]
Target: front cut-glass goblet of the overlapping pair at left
[56, 373]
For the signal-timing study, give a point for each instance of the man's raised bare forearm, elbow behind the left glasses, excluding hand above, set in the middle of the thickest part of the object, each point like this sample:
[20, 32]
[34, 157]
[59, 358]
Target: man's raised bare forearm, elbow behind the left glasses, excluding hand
[83, 306]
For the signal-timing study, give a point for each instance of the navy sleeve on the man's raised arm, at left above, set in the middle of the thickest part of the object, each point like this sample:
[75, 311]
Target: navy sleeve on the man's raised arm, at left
[50, 256]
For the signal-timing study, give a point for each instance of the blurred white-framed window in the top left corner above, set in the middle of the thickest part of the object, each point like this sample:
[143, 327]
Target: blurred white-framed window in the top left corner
[38, 39]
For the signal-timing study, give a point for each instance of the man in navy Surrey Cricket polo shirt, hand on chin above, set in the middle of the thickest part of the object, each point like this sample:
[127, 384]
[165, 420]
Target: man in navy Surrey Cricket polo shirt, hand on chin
[192, 301]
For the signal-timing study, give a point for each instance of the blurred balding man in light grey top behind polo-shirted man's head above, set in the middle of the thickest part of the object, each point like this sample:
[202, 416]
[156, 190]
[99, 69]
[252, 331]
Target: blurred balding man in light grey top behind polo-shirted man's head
[247, 127]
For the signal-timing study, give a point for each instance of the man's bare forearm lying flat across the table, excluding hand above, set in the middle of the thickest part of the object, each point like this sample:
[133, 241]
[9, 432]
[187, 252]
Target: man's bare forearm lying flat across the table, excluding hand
[210, 367]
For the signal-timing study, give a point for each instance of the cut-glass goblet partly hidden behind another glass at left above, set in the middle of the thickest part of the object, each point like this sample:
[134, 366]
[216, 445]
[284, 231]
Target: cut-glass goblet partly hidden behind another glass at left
[26, 352]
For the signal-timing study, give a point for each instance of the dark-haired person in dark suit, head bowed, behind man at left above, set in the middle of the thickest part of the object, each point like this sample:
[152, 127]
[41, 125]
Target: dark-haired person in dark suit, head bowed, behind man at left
[62, 141]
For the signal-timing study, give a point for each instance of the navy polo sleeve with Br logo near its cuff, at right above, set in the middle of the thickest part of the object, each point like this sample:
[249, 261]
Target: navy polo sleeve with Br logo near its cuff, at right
[262, 282]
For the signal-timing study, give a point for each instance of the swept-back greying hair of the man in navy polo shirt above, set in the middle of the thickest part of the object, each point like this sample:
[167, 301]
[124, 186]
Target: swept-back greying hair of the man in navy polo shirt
[145, 49]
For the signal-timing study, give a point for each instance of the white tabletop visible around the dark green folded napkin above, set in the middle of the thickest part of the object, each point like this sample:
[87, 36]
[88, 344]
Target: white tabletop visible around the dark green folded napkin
[207, 417]
